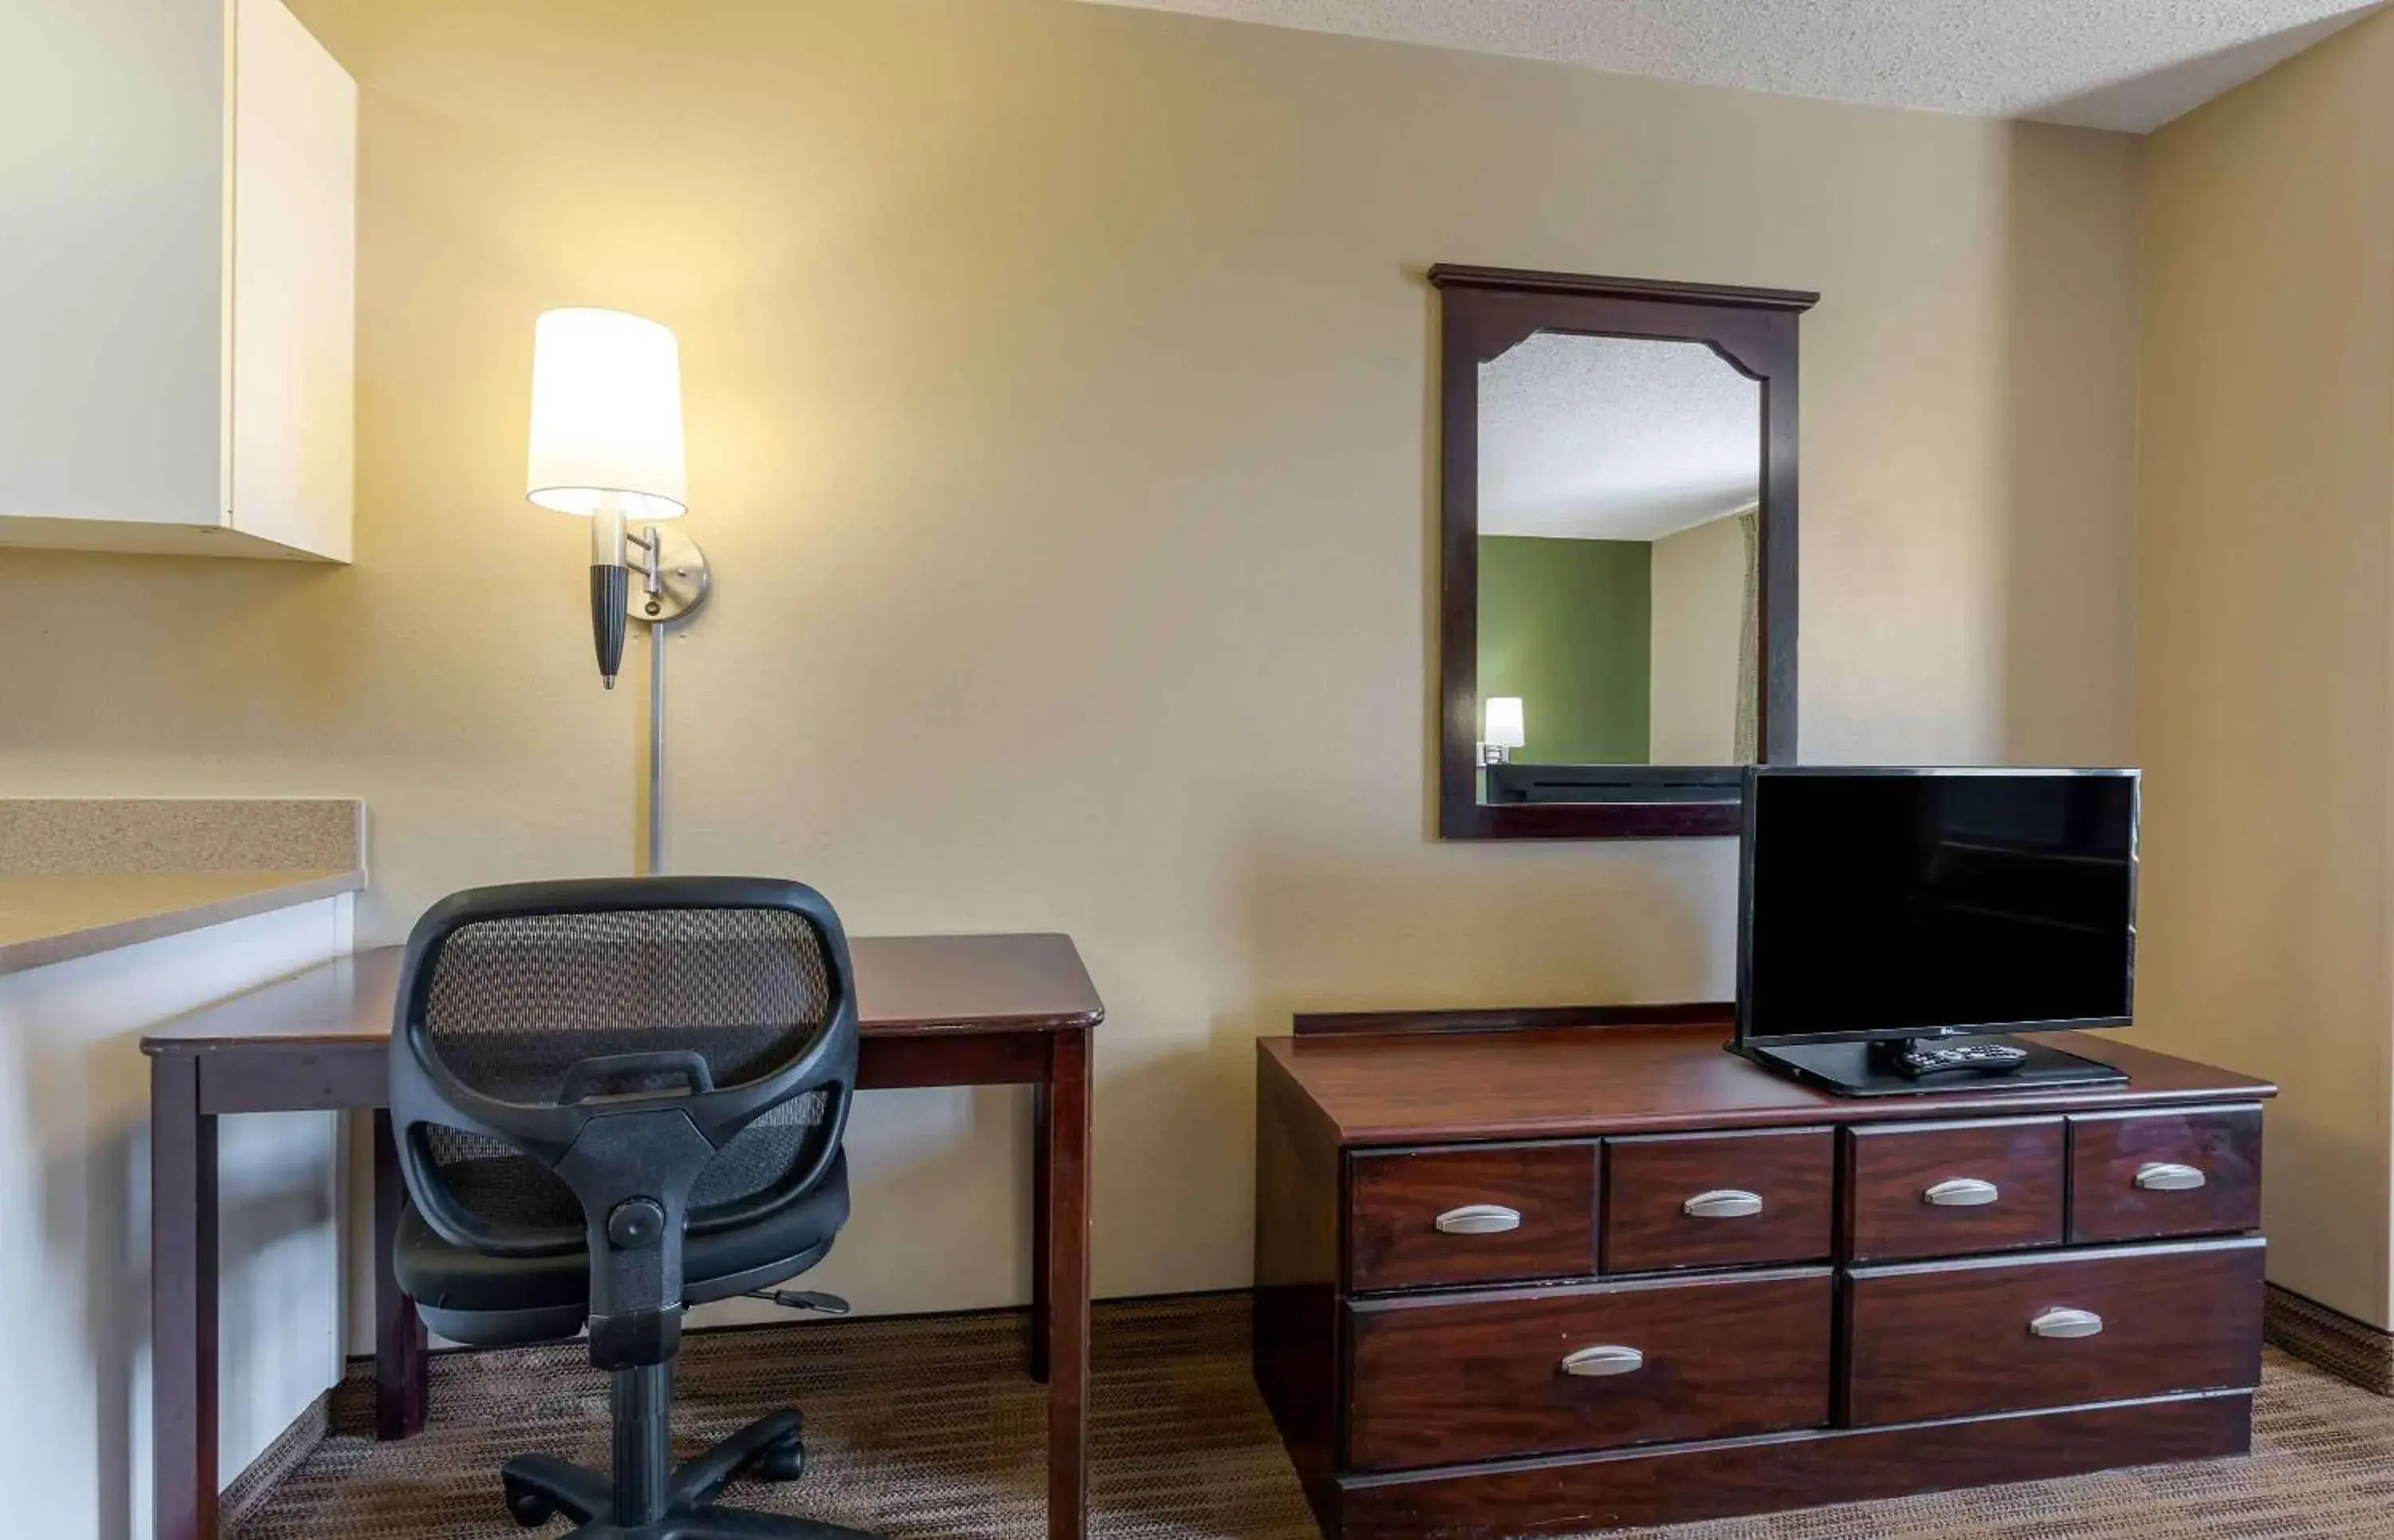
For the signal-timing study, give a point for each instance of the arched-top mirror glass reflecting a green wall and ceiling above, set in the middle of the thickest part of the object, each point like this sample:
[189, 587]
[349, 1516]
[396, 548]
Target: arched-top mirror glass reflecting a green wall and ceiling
[1620, 554]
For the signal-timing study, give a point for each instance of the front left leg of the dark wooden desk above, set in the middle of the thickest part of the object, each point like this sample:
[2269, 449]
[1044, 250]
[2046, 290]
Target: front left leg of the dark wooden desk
[183, 1302]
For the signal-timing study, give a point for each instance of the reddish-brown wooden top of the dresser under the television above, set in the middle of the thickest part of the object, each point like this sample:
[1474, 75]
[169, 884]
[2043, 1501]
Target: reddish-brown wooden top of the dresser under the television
[1421, 1089]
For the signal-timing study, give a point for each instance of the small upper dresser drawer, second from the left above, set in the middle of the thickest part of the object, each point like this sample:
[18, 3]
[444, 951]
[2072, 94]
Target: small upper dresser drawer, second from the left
[1718, 1199]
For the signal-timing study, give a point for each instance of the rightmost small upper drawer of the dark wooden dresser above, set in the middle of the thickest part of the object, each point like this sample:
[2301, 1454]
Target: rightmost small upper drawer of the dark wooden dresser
[2139, 1175]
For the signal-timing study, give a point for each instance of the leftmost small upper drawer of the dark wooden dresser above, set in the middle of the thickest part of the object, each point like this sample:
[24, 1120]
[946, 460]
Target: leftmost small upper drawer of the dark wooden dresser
[1471, 1215]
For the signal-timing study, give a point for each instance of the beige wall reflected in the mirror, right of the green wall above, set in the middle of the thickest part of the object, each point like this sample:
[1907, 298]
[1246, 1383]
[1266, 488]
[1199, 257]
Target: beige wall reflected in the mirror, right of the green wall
[1696, 626]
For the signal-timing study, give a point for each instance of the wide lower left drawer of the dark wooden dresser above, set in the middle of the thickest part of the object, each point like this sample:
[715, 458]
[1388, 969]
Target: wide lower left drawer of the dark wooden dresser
[1596, 1366]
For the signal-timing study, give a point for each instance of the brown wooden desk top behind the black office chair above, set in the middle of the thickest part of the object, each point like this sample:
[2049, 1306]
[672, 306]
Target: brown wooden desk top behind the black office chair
[906, 988]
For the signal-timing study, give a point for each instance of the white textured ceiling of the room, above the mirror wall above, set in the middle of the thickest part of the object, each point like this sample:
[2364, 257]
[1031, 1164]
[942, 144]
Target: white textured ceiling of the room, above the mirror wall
[2098, 63]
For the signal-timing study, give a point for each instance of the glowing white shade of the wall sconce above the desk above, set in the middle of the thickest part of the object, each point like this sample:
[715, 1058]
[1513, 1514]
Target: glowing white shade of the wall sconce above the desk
[607, 416]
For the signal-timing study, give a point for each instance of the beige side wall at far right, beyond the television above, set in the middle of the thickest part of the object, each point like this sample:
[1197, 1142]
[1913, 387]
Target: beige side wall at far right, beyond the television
[2266, 631]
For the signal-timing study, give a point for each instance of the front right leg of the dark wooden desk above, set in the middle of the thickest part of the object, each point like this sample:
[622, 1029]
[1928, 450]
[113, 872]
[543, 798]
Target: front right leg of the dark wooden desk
[1062, 1280]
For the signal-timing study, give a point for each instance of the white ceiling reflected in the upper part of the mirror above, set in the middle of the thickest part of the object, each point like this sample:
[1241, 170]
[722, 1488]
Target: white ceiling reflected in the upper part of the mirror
[1615, 439]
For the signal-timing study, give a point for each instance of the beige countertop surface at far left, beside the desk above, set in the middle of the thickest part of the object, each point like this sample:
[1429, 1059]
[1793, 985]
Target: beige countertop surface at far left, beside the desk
[56, 916]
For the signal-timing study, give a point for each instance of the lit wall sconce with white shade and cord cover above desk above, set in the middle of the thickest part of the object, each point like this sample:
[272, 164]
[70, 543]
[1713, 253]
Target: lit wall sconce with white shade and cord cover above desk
[607, 444]
